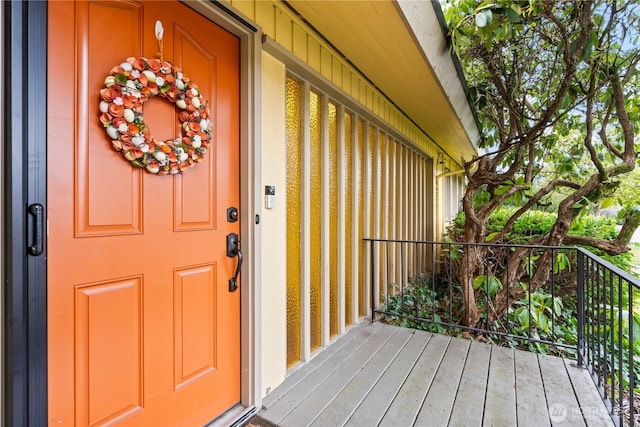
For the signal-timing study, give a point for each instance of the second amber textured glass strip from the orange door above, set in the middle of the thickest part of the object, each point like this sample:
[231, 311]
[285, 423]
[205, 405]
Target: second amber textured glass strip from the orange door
[315, 220]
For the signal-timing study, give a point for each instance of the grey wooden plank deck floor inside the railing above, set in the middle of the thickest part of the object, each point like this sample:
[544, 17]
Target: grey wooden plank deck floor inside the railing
[381, 375]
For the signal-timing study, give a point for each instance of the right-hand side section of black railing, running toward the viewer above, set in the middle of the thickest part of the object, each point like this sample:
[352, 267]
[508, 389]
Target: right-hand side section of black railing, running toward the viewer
[609, 340]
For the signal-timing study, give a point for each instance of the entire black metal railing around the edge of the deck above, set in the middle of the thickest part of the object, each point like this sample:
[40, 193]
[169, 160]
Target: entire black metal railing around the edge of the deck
[583, 309]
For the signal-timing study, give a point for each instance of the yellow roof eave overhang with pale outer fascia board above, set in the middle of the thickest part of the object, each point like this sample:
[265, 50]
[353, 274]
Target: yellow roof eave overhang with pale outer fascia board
[400, 46]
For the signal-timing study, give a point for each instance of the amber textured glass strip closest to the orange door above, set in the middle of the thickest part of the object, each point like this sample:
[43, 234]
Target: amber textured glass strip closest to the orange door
[294, 218]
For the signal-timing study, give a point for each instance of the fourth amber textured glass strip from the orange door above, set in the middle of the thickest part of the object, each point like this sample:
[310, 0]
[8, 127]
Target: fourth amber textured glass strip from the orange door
[348, 221]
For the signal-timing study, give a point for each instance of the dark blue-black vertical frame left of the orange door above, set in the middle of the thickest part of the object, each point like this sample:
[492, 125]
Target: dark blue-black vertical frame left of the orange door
[24, 133]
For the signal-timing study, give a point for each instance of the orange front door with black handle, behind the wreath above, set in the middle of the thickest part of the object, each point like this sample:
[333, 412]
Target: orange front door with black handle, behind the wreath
[143, 330]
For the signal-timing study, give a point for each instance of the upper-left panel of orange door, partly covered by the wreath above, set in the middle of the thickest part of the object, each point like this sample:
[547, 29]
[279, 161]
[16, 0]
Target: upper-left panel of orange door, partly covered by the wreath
[120, 211]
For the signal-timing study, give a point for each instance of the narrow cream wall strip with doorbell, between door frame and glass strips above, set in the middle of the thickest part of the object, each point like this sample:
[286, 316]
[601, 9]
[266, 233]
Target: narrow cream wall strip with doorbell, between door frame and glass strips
[273, 278]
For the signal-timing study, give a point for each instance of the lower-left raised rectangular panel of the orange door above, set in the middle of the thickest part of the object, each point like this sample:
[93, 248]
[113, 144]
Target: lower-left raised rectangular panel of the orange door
[107, 350]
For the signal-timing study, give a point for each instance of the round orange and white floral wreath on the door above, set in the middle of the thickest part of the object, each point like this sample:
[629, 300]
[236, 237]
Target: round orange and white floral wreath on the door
[126, 88]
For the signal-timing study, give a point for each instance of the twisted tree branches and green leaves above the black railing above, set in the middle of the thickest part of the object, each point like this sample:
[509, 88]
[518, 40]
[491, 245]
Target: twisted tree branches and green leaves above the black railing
[555, 88]
